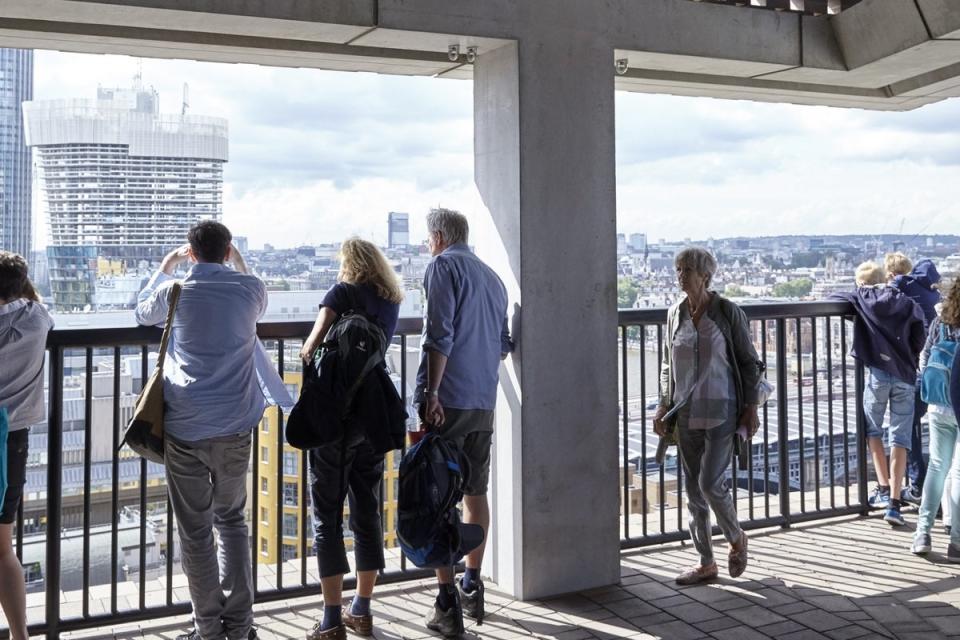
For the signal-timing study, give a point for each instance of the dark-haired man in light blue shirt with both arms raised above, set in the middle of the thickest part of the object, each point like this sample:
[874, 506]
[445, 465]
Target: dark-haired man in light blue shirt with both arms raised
[217, 383]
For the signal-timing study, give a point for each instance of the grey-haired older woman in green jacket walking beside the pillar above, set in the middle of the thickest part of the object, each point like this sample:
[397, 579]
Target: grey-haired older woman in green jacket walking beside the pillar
[708, 390]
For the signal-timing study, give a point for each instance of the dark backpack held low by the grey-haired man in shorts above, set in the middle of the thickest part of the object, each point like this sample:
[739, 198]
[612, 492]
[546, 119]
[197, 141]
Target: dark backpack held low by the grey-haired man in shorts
[432, 475]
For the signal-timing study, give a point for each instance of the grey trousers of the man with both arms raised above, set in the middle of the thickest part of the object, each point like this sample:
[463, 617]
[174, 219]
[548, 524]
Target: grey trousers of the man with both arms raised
[207, 481]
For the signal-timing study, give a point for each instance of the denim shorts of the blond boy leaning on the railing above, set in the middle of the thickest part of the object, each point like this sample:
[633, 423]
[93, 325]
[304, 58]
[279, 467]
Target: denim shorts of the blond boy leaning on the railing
[881, 388]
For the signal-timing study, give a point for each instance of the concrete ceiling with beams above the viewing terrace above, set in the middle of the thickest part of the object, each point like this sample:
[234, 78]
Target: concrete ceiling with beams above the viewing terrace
[878, 54]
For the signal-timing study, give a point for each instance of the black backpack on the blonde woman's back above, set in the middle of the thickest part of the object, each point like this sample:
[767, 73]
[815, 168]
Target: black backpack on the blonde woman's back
[352, 348]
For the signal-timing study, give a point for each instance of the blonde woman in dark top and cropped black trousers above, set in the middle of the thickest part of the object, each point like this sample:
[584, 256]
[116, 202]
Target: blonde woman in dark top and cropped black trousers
[366, 284]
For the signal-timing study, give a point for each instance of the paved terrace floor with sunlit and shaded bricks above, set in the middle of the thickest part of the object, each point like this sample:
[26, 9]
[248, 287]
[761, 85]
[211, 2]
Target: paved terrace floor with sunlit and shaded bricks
[837, 579]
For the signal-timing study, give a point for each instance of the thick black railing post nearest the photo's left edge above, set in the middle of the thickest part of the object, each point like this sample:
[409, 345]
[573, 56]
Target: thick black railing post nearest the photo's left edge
[54, 493]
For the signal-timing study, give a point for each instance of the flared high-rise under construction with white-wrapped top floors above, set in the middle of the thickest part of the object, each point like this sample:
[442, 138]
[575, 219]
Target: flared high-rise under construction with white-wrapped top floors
[122, 184]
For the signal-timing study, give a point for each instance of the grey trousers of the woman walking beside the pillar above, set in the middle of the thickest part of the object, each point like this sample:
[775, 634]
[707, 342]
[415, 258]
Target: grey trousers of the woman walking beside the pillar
[706, 455]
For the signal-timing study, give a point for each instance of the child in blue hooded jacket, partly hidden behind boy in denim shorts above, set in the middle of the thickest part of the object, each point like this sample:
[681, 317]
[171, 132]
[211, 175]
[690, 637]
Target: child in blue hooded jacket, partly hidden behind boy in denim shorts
[919, 282]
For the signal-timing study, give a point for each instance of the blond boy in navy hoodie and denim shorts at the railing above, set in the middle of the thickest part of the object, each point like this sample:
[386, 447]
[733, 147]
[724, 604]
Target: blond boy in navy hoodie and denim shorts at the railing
[888, 335]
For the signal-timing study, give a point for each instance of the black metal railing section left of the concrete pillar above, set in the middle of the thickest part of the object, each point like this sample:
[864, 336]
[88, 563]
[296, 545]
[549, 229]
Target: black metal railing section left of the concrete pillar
[147, 602]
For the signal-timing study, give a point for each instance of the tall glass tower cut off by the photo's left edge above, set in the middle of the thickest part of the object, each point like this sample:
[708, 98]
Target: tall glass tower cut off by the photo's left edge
[16, 86]
